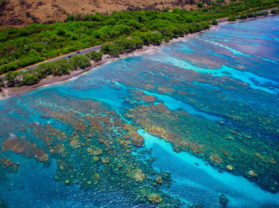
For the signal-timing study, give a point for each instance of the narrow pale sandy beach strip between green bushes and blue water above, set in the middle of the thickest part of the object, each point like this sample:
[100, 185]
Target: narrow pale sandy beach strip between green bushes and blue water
[54, 80]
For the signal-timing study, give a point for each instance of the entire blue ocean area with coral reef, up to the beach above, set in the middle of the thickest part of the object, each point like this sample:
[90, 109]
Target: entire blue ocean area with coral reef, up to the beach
[196, 123]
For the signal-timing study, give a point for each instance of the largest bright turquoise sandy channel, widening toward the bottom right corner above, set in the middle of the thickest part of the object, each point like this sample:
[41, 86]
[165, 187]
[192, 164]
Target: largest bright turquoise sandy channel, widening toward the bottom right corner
[203, 179]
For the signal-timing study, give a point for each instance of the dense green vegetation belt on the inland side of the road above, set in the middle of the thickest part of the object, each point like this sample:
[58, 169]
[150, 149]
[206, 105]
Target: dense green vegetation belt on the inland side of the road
[22, 47]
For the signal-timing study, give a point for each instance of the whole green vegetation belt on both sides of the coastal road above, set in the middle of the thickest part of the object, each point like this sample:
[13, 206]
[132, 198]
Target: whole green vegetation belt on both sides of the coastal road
[119, 32]
